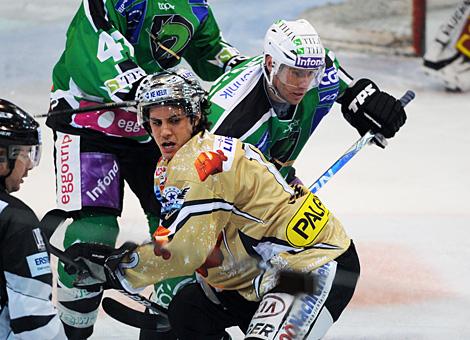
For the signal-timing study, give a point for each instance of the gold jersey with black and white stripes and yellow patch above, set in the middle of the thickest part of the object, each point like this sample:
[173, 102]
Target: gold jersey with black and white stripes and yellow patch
[225, 208]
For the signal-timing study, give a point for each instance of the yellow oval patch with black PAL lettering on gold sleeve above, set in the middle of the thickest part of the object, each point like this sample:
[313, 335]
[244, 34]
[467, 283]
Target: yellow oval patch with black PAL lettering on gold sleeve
[307, 222]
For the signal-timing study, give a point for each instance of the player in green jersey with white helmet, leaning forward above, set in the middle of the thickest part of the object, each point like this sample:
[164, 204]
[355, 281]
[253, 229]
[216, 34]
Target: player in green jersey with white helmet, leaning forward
[275, 101]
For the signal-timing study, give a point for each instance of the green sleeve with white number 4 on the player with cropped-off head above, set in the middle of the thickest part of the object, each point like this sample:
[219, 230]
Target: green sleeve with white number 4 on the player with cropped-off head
[99, 59]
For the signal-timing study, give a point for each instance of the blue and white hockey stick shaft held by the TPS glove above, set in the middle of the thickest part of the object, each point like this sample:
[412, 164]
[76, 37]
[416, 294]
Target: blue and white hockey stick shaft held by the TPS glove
[368, 138]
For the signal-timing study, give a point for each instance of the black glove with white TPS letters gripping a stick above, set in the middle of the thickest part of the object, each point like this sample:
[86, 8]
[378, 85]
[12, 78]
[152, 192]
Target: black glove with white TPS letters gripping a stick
[367, 108]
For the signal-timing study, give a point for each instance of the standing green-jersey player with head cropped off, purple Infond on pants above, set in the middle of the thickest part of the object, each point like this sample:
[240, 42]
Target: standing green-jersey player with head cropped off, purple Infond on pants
[111, 46]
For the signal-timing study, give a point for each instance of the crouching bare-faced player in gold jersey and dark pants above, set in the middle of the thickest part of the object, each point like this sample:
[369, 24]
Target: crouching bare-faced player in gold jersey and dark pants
[228, 214]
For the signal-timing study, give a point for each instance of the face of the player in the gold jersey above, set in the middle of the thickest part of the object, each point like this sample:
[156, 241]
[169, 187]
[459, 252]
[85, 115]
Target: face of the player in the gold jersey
[171, 128]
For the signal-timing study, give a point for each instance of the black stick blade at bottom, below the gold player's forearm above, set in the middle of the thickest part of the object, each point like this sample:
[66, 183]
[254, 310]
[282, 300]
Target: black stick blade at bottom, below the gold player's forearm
[134, 318]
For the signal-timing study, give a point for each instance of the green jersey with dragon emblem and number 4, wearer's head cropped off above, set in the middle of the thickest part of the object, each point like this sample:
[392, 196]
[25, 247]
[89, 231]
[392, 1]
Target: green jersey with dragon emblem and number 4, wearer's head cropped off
[111, 44]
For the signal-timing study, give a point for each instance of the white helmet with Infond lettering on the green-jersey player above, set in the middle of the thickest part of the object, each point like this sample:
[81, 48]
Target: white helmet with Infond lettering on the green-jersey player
[294, 45]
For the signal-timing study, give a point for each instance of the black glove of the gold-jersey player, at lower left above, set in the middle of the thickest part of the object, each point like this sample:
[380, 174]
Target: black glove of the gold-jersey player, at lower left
[96, 265]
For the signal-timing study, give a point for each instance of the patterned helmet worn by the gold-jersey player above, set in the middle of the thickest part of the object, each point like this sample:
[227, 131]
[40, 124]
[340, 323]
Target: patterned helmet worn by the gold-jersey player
[178, 87]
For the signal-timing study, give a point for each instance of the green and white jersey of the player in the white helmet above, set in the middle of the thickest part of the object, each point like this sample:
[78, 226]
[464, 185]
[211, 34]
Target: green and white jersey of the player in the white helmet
[241, 108]
